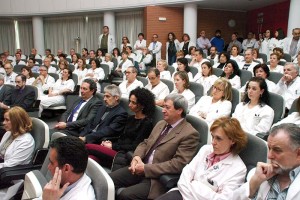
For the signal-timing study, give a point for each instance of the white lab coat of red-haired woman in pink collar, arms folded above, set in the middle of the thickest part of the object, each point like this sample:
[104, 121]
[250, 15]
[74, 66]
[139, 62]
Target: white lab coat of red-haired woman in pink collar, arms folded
[226, 175]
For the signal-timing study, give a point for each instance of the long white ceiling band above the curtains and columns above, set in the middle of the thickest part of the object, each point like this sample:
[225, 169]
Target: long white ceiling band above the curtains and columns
[48, 7]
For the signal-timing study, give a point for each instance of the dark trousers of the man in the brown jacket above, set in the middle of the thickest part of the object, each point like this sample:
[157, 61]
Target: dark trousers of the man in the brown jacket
[135, 187]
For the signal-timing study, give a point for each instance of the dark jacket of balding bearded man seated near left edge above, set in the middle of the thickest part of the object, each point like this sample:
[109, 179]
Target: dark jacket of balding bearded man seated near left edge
[24, 98]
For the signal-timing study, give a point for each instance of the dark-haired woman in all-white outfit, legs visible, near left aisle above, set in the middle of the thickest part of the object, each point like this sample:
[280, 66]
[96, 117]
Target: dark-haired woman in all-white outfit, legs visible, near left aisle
[56, 93]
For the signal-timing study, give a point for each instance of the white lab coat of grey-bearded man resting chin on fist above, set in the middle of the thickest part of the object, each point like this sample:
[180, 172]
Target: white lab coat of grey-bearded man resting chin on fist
[243, 192]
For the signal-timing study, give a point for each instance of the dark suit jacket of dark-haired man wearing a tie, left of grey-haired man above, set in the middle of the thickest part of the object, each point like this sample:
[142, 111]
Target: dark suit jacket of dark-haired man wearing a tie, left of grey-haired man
[85, 115]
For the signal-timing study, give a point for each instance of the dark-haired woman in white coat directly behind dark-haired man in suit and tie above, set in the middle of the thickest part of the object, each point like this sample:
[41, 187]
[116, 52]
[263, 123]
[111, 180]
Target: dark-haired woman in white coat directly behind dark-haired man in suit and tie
[95, 73]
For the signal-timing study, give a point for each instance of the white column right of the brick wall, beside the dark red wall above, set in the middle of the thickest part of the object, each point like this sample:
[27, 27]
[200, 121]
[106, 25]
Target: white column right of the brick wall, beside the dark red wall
[190, 21]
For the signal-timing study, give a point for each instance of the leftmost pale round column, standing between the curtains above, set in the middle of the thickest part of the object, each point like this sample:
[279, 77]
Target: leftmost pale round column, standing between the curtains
[38, 34]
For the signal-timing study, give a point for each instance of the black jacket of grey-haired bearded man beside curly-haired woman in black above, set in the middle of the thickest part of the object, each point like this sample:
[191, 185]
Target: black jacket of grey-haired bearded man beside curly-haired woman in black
[112, 125]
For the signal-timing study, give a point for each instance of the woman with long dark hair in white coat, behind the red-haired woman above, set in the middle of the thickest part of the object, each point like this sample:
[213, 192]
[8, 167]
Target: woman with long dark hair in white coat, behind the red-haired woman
[254, 113]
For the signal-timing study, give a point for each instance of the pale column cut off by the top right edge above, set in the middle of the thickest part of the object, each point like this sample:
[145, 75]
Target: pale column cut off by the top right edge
[294, 17]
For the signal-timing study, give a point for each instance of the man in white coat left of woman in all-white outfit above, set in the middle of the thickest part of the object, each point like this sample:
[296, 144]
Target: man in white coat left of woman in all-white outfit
[44, 81]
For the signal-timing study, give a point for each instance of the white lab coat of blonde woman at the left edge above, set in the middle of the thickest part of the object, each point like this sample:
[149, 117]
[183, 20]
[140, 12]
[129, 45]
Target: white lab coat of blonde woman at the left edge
[19, 152]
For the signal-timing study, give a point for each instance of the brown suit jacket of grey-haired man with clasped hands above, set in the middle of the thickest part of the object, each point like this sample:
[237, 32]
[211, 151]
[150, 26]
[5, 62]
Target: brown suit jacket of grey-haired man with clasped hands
[176, 150]
